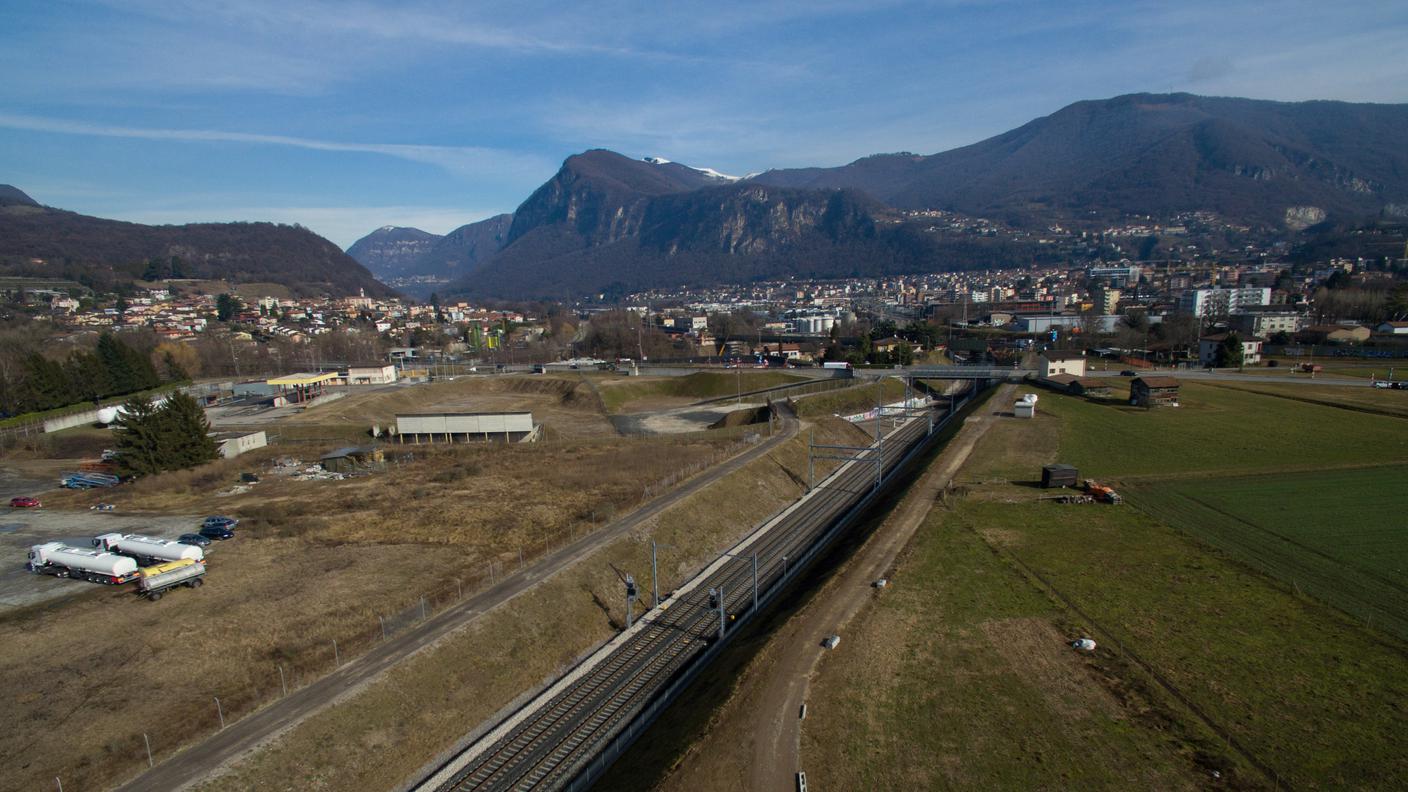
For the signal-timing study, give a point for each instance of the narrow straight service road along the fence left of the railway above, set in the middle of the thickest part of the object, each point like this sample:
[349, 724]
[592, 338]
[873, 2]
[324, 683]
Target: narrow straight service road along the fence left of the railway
[206, 757]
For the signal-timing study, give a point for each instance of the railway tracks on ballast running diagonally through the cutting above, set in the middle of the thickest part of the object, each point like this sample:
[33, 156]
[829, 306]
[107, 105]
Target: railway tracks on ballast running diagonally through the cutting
[548, 742]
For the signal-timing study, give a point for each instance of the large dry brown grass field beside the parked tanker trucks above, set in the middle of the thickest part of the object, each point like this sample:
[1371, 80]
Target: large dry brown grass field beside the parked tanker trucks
[313, 563]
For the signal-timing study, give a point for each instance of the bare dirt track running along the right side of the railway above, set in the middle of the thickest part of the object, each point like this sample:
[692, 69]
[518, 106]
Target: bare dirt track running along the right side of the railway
[754, 742]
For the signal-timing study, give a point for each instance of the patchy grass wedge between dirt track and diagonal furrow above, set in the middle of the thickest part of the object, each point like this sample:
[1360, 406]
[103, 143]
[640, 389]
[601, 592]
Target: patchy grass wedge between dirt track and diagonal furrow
[960, 679]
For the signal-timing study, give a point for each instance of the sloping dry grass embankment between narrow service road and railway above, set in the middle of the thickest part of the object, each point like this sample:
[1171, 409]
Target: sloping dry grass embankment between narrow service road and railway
[388, 732]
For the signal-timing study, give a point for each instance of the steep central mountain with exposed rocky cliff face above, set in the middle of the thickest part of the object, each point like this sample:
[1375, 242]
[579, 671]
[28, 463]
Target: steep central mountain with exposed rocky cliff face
[606, 223]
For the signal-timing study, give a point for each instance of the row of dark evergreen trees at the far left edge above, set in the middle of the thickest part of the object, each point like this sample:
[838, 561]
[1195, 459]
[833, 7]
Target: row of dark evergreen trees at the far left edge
[113, 369]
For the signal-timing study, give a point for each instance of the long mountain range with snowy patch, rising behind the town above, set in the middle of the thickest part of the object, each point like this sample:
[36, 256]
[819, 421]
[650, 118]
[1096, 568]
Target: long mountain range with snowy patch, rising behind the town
[608, 223]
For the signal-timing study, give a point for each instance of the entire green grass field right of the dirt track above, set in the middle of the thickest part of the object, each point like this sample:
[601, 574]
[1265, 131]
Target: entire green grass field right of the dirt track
[1248, 601]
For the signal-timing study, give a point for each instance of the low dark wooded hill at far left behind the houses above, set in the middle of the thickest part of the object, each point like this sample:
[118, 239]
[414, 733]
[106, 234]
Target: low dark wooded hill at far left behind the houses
[111, 254]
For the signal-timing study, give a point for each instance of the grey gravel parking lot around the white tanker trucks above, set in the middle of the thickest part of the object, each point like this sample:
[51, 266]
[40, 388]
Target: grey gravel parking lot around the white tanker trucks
[22, 529]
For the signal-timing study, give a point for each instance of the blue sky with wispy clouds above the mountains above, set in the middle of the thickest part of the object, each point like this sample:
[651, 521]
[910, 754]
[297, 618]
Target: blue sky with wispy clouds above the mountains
[346, 116]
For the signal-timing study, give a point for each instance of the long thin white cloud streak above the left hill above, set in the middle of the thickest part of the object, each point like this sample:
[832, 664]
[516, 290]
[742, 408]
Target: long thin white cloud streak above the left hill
[474, 161]
